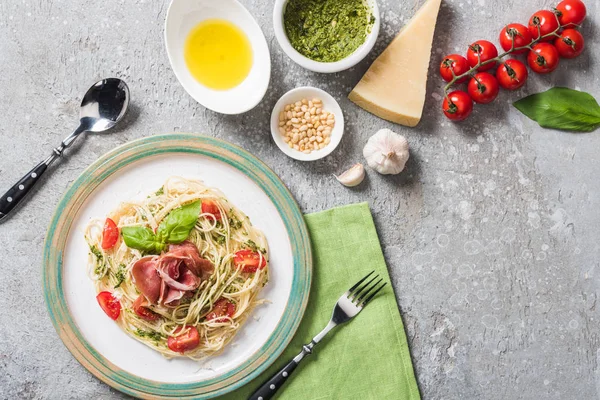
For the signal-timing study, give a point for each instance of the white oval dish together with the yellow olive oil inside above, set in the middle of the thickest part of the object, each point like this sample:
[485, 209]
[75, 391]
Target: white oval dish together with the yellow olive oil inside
[218, 53]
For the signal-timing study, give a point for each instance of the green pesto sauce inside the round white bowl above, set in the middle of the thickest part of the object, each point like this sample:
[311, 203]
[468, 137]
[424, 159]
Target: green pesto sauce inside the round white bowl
[327, 30]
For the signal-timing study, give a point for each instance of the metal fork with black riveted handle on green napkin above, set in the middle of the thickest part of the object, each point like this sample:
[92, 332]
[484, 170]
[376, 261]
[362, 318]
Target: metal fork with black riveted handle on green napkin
[347, 307]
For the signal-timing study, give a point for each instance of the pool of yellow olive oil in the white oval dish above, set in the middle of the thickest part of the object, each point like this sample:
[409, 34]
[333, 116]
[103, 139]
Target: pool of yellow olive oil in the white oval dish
[218, 54]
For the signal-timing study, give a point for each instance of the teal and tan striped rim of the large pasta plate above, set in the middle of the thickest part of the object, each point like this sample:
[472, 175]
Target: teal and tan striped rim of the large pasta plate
[109, 164]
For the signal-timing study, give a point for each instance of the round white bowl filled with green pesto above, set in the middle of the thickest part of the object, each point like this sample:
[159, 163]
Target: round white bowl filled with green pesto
[326, 35]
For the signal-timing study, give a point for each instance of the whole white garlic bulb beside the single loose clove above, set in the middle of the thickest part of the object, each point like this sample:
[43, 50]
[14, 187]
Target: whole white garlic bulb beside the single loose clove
[386, 152]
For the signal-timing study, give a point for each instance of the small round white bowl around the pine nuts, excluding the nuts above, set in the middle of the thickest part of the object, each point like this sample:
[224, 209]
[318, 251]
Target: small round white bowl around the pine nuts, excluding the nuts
[329, 104]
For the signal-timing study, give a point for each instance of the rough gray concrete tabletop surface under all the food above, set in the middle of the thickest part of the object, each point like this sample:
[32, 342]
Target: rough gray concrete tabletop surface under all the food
[491, 234]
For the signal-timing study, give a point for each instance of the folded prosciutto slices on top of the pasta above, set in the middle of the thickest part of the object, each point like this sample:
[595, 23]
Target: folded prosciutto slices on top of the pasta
[165, 279]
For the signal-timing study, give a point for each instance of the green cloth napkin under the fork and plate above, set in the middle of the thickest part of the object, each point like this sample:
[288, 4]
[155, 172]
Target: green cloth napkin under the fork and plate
[367, 358]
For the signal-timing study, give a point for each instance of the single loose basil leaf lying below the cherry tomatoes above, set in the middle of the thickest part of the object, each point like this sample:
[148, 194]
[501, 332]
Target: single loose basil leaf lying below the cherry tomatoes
[562, 108]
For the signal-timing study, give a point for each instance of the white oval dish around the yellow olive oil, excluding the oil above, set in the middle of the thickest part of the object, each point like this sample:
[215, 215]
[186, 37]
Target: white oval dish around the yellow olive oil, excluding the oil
[182, 17]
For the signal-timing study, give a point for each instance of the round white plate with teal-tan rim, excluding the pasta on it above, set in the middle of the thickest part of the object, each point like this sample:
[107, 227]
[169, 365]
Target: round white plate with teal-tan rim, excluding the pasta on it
[133, 173]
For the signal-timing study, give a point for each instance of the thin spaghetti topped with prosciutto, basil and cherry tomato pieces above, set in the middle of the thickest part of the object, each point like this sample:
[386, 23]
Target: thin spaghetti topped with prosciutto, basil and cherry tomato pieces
[179, 271]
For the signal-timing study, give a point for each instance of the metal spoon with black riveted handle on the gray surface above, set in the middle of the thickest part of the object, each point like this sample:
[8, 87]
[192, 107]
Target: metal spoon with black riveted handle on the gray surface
[102, 107]
